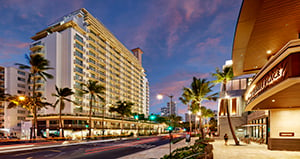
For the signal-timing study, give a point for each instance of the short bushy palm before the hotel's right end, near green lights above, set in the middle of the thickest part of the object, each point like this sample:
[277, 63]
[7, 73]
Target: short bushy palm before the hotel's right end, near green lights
[123, 108]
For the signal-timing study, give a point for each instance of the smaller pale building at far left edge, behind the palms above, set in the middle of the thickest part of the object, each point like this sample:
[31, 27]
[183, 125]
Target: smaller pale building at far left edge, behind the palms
[13, 81]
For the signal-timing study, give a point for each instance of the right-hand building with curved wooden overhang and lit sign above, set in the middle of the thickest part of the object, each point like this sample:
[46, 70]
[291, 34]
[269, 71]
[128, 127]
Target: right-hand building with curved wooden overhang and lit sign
[267, 43]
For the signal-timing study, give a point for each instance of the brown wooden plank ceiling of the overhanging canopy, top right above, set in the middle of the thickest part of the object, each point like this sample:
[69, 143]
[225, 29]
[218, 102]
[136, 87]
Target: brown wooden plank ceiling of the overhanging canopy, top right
[263, 28]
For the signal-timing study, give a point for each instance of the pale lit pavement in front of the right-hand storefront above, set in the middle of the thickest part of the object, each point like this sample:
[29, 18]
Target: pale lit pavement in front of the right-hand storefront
[249, 151]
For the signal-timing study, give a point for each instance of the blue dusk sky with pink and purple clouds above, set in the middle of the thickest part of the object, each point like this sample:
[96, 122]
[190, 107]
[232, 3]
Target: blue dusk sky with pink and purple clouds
[181, 39]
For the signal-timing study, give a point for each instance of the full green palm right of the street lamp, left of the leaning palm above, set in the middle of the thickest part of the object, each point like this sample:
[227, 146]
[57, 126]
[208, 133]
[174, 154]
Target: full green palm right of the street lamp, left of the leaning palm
[199, 91]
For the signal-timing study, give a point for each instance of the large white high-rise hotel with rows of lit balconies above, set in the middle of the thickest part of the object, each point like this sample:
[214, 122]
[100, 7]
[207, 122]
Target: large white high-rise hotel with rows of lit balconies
[80, 48]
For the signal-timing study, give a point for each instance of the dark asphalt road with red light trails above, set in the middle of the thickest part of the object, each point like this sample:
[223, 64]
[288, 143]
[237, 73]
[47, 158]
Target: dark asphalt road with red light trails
[107, 150]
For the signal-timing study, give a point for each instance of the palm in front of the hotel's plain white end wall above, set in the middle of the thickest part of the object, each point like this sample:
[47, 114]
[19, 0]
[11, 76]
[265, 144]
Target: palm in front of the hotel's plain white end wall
[62, 94]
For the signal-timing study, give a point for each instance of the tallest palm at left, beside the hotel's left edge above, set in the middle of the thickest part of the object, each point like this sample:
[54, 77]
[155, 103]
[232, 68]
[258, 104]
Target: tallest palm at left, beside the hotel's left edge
[38, 66]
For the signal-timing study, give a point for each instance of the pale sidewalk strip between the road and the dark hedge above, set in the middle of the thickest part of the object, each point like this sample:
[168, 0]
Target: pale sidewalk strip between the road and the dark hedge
[158, 152]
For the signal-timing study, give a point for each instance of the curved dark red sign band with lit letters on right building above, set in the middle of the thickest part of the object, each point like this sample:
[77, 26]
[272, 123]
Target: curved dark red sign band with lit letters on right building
[273, 77]
